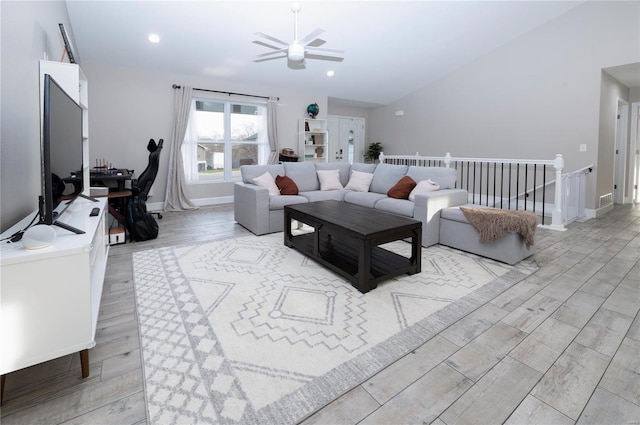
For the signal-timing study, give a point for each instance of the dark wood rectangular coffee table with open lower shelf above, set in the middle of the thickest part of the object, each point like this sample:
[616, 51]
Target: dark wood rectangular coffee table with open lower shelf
[346, 239]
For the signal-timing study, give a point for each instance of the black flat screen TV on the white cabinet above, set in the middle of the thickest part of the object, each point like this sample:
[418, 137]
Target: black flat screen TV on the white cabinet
[61, 153]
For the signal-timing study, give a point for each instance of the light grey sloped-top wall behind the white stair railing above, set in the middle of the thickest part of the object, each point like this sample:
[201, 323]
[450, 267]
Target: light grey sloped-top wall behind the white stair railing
[532, 98]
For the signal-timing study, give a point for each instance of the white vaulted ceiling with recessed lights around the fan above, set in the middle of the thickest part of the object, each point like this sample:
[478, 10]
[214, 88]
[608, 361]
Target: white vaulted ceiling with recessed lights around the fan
[392, 47]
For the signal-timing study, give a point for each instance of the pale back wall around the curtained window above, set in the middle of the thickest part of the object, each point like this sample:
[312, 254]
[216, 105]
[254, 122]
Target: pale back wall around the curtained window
[127, 107]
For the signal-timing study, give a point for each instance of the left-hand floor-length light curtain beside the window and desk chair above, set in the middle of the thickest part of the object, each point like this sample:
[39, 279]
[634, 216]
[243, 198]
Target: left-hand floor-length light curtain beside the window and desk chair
[175, 197]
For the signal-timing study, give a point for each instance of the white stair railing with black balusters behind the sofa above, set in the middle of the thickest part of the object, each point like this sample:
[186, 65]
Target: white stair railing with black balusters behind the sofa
[522, 168]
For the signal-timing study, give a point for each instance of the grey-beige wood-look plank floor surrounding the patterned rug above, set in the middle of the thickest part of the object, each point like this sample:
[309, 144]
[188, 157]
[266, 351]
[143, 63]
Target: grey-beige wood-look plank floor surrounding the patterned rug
[560, 347]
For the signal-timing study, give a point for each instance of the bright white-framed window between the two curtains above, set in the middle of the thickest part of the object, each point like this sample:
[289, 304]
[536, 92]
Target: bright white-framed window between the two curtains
[221, 136]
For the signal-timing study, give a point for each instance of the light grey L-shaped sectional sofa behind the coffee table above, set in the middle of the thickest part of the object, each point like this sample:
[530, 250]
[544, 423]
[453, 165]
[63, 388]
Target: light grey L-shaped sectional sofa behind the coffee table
[260, 213]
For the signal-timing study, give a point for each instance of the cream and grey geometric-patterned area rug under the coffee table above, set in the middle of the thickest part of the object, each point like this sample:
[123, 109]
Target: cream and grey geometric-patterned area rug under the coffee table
[248, 331]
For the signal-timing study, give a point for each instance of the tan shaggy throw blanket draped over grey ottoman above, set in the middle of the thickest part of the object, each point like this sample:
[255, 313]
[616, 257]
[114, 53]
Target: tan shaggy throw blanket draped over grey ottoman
[493, 224]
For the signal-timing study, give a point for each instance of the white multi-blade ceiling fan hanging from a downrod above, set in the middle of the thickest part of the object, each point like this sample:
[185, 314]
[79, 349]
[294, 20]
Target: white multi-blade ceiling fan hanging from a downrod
[298, 50]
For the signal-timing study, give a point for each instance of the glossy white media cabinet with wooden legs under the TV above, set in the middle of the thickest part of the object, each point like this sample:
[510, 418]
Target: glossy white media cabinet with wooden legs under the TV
[50, 297]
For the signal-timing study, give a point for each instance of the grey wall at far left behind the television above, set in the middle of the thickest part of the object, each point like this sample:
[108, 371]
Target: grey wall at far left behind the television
[29, 32]
